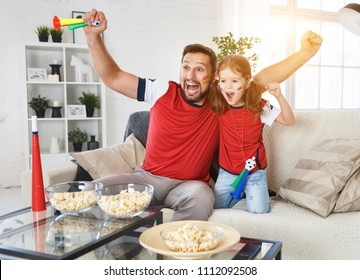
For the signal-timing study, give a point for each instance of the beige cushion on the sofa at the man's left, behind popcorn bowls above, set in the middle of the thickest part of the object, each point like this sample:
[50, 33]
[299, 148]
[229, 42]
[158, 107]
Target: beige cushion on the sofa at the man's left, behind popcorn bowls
[115, 159]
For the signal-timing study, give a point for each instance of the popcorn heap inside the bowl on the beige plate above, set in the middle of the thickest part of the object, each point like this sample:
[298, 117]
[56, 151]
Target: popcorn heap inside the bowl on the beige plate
[189, 238]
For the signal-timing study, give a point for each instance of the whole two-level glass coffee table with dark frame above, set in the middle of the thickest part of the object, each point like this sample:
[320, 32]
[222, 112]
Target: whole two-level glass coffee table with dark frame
[95, 235]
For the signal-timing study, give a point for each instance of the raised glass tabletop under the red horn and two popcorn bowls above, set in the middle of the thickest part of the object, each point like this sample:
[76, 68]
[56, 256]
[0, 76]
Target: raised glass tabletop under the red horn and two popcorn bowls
[51, 235]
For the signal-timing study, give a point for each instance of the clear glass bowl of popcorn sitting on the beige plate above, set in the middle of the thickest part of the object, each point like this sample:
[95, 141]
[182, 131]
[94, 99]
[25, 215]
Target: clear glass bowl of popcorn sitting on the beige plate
[192, 237]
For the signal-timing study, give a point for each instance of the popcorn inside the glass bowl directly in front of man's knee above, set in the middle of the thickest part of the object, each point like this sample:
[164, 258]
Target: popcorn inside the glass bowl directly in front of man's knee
[124, 204]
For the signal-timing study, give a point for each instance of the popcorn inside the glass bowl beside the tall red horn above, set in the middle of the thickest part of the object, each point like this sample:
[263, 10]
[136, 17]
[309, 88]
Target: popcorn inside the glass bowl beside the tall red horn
[74, 201]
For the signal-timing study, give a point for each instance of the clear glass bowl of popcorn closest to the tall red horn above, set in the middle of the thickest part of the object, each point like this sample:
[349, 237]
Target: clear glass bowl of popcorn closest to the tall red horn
[73, 197]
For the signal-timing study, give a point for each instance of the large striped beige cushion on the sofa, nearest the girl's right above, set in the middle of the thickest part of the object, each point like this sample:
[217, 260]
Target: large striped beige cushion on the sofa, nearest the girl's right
[321, 174]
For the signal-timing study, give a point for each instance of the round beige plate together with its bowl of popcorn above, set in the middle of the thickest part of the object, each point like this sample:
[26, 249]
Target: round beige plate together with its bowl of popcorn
[189, 239]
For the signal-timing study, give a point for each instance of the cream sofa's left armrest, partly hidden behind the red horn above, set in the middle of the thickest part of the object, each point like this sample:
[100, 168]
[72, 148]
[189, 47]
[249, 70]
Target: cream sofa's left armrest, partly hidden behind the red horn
[64, 173]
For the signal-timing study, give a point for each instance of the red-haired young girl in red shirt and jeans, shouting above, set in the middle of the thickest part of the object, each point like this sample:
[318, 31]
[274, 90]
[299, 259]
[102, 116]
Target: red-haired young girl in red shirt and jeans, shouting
[243, 113]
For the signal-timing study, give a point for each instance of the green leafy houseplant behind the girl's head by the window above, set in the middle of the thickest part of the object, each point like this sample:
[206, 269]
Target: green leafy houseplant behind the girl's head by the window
[228, 44]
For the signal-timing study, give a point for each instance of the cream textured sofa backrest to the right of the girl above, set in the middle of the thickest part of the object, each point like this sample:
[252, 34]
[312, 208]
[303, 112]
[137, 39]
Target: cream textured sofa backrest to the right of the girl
[285, 145]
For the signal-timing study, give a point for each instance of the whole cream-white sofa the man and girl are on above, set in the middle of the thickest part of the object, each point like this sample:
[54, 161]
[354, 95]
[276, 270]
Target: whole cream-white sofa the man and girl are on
[304, 234]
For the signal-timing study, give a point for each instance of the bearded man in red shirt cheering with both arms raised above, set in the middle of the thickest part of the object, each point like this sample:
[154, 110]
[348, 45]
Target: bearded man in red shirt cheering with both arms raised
[183, 132]
